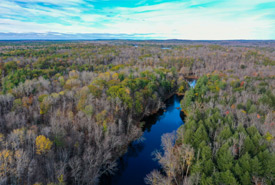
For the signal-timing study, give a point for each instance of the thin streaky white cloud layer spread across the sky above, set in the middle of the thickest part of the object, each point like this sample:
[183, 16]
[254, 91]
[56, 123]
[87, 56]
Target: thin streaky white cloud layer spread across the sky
[224, 20]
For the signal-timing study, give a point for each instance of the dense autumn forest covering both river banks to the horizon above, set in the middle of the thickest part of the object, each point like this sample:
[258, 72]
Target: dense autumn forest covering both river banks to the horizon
[68, 110]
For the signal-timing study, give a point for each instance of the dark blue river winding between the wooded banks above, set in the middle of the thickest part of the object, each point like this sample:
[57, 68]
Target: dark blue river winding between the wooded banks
[138, 161]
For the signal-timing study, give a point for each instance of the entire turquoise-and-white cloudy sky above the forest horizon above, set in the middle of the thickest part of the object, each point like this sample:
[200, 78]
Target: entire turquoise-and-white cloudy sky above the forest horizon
[138, 19]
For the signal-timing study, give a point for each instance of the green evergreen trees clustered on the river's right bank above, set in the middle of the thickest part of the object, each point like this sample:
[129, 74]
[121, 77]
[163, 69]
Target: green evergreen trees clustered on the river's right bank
[230, 164]
